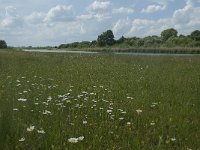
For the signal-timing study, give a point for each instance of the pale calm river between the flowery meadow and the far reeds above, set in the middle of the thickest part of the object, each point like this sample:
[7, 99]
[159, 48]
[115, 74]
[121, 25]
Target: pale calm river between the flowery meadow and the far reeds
[117, 53]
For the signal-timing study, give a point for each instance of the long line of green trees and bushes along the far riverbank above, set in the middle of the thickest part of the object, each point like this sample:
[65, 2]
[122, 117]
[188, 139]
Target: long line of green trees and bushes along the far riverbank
[168, 38]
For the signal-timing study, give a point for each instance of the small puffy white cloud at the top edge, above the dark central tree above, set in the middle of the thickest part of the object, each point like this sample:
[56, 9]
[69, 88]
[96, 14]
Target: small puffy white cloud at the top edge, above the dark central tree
[98, 5]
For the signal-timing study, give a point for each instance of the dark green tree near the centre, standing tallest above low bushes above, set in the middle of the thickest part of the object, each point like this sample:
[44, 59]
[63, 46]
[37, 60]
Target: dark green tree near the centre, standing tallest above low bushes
[106, 38]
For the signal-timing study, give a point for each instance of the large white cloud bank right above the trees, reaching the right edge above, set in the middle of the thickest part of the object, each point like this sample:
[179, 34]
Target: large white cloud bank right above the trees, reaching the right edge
[185, 20]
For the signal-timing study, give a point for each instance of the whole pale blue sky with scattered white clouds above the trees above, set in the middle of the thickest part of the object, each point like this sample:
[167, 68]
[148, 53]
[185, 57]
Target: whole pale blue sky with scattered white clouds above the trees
[53, 22]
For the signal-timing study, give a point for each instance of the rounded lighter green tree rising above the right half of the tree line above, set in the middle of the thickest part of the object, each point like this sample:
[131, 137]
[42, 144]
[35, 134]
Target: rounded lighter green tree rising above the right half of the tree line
[166, 34]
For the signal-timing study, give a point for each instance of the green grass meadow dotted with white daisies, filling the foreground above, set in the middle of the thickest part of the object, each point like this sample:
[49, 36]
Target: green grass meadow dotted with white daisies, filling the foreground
[99, 102]
